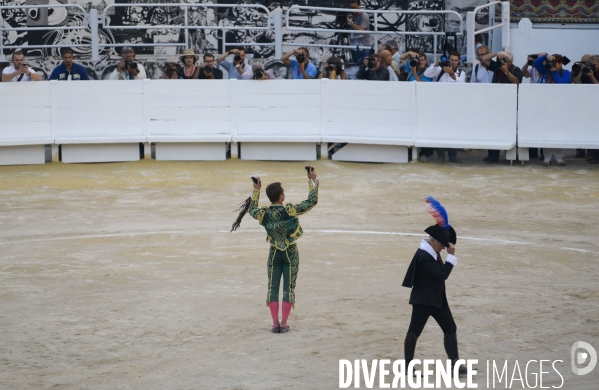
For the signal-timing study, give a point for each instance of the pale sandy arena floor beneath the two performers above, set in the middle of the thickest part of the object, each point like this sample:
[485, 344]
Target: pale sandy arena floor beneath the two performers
[125, 276]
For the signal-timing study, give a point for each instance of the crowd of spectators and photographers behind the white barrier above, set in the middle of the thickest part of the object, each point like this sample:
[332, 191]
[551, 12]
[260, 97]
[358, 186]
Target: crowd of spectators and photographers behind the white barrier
[388, 64]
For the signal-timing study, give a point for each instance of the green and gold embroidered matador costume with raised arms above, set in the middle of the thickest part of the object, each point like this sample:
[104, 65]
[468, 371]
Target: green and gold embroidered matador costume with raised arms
[283, 228]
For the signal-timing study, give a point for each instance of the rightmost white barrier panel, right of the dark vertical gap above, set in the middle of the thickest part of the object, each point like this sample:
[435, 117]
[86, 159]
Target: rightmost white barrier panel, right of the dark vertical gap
[558, 116]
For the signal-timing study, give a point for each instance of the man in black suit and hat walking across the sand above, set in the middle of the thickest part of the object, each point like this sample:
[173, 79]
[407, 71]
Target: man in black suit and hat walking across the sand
[426, 276]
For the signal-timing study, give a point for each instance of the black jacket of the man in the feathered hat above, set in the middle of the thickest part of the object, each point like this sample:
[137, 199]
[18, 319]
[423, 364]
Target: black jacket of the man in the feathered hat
[426, 276]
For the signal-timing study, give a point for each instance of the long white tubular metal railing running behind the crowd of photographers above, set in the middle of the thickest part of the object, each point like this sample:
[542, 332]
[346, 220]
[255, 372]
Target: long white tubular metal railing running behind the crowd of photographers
[271, 21]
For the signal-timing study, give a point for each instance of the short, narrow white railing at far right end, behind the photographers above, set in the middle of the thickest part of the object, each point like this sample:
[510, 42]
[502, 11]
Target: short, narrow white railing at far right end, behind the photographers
[504, 26]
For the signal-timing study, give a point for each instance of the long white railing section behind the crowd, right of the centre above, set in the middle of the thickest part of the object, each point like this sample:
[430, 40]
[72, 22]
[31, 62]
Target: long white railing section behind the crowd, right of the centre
[376, 31]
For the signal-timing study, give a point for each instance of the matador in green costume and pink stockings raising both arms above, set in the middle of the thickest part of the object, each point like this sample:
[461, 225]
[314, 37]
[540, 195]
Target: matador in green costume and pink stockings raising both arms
[283, 230]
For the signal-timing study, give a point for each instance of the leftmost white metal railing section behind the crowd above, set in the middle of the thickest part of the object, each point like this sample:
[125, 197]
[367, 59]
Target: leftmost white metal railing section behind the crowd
[83, 26]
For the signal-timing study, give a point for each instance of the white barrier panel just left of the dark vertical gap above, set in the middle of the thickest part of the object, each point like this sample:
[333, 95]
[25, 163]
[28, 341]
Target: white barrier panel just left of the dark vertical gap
[472, 116]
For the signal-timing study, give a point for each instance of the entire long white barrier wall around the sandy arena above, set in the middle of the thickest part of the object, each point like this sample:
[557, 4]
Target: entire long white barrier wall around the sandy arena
[285, 119]
